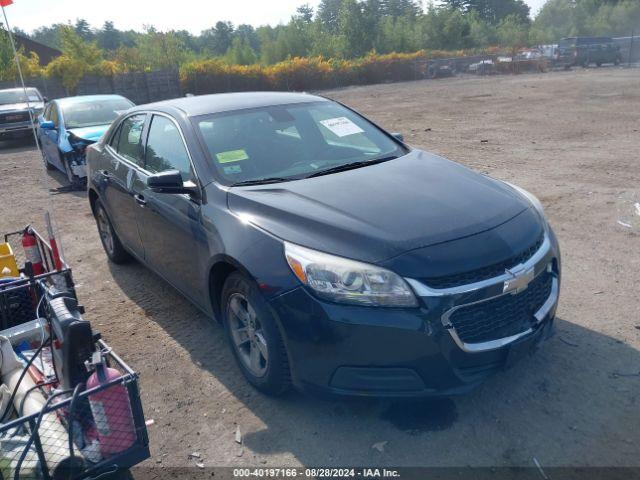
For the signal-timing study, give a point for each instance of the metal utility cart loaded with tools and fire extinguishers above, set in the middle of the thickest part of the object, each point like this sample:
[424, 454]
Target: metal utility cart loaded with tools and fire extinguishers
[57, 419]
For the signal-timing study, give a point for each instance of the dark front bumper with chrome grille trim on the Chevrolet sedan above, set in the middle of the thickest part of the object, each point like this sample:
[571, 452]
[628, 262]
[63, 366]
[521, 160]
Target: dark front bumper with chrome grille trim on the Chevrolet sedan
[360, 351]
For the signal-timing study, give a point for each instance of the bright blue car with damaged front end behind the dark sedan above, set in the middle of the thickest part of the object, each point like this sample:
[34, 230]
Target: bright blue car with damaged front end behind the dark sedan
[68, 125]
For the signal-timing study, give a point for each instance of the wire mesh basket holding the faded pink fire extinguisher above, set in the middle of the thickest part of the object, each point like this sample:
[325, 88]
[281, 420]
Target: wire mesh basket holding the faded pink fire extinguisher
[80, 433]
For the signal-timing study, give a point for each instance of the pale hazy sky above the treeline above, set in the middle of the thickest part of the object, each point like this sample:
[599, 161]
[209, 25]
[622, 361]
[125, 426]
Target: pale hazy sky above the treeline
[192, 15]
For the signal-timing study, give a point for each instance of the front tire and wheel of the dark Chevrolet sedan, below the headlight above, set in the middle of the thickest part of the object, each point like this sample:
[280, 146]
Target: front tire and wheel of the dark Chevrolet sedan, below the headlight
[276, 377]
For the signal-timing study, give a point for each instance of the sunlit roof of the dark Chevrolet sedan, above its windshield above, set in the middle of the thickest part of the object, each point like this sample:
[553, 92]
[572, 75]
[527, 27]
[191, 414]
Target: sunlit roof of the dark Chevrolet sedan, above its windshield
[194, 106]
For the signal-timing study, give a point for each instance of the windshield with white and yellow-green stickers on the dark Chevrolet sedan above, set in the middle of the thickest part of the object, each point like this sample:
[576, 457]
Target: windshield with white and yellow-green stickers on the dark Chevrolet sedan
[287, 142]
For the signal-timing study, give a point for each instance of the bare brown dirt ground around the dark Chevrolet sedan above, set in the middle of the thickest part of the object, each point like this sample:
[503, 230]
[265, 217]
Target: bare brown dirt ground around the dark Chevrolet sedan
[571, 138]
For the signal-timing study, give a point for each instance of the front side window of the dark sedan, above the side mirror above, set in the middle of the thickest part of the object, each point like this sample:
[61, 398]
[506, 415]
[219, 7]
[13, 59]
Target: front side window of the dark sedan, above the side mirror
[165, 148]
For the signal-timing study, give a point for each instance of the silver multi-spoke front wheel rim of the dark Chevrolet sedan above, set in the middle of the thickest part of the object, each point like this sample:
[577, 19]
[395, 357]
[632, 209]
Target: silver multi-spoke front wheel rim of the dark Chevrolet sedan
[248, 335]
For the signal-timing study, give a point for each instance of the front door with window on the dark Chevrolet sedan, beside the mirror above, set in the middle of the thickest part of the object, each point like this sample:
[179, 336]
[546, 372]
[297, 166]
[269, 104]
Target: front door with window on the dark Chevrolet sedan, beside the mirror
[170, 223]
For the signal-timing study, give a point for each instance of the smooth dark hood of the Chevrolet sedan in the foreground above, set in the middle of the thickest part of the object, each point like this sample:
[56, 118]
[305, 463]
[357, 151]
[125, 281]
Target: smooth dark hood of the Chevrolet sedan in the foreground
[380, 211]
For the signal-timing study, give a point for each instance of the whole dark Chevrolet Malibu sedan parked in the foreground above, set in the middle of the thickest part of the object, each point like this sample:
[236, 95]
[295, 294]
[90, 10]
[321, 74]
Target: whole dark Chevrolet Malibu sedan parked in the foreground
[338, 259]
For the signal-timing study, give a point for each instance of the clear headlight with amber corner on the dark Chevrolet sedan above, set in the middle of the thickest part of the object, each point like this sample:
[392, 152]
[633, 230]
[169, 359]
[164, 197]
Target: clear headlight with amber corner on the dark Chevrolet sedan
[347, 281]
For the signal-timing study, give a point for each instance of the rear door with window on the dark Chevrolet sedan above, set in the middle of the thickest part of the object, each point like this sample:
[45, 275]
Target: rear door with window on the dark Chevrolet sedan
[120, 174]
